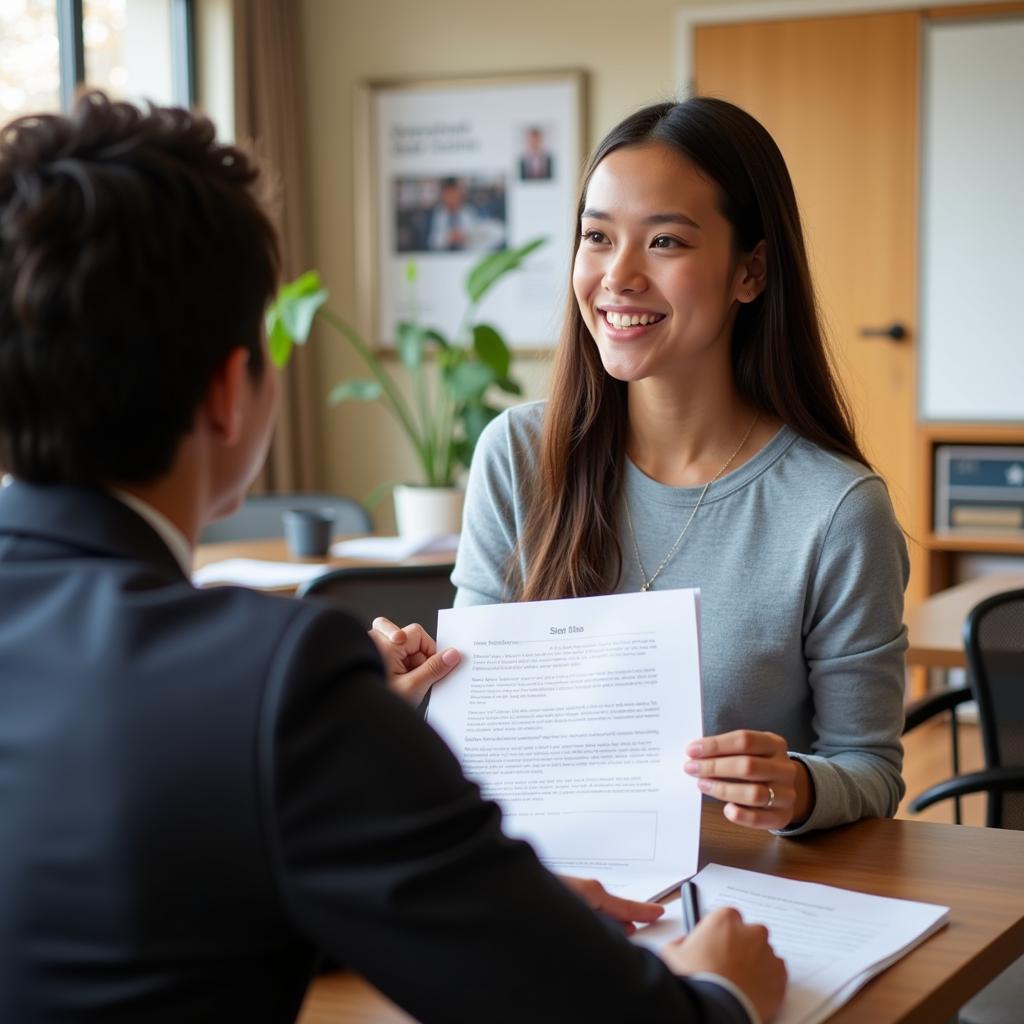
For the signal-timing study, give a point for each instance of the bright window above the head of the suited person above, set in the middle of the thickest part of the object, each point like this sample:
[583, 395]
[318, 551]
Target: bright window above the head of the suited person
[133, 50]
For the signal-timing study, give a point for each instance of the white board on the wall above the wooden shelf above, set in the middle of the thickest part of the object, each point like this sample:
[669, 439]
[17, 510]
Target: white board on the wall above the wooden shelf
[972, 271]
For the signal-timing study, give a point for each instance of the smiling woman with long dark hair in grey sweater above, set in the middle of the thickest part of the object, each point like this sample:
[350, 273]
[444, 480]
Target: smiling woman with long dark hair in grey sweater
[696, 437]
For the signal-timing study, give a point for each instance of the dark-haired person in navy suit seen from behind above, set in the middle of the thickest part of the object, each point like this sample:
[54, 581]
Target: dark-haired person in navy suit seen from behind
[201, 790]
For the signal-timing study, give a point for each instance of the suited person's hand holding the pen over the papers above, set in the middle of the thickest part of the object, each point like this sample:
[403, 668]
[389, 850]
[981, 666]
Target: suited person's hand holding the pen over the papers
[723, 945]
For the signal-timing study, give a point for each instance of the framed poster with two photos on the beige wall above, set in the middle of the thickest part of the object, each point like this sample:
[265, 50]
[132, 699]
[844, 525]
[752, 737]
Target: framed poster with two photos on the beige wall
[457, 168]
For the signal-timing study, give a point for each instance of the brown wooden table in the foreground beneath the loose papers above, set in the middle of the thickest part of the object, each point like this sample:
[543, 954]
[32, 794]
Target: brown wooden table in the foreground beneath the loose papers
[977, 873]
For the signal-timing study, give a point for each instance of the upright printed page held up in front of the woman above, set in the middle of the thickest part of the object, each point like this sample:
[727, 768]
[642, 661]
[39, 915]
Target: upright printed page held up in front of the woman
[575, 716]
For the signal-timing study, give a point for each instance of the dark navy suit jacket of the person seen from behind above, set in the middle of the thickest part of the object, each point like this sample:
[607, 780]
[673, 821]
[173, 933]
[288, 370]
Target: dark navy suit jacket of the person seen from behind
[200, 790]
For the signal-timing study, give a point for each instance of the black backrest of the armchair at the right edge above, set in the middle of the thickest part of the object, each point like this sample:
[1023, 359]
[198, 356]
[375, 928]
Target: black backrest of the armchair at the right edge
[994, 636]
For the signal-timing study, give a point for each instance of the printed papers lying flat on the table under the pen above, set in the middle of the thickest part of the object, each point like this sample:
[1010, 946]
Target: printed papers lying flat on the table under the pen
[833, 941]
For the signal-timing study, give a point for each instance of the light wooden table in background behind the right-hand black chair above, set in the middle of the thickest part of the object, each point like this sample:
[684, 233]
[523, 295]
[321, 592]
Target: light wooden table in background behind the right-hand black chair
[935, 626]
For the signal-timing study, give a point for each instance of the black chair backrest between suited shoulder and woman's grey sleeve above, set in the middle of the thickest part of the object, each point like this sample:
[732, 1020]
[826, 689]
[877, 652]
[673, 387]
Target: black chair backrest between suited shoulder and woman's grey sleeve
[406, 594]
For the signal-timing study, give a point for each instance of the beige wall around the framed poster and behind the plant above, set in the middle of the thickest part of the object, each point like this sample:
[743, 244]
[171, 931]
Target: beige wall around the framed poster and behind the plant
[626, 49]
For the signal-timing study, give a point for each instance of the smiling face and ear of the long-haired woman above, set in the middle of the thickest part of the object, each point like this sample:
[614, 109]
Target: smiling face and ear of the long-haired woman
[659, 291]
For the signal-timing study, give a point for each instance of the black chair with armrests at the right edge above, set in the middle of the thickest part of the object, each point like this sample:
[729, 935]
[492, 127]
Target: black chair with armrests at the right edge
[994, 636]
